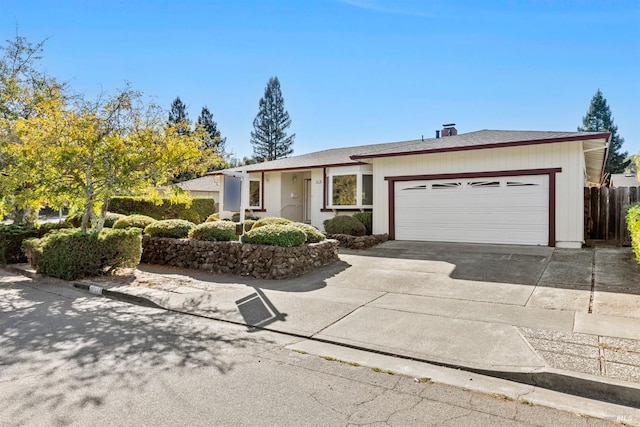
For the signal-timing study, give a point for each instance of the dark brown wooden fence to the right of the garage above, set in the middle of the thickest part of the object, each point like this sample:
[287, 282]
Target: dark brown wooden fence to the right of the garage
[605, 210]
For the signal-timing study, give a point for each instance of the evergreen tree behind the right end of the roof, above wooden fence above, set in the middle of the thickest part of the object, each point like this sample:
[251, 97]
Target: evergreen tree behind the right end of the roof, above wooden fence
[599, 119]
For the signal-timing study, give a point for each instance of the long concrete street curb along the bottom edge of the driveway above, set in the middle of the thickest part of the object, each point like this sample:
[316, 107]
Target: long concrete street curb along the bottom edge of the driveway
[584, 385]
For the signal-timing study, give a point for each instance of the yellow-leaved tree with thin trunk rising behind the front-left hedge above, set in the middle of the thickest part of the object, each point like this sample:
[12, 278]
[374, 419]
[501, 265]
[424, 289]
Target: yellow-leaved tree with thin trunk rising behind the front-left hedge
[88, 152]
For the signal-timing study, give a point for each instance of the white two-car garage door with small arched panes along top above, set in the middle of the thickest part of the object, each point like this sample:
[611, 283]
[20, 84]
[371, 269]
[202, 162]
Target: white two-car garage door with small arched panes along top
[512, 210]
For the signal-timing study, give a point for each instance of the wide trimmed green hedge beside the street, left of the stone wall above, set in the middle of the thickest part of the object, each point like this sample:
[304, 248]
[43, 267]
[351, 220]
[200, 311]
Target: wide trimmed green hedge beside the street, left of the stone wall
[74, 254]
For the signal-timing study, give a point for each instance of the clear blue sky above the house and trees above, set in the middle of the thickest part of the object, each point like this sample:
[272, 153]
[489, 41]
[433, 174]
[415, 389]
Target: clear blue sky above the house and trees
[352, 72]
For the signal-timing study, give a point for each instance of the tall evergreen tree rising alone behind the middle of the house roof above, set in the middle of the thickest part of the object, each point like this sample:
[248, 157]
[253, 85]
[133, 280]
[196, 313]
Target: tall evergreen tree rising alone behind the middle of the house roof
[269, 136]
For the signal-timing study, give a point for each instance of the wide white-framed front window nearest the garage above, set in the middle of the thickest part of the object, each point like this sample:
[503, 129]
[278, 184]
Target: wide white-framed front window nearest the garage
[350, 190]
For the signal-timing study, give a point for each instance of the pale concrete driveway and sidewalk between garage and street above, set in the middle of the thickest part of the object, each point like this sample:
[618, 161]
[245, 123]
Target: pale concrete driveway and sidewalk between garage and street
[568, 320]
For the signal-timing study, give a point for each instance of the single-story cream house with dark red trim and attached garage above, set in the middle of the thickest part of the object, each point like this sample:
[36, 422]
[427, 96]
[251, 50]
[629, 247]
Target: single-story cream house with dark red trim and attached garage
[487, 186]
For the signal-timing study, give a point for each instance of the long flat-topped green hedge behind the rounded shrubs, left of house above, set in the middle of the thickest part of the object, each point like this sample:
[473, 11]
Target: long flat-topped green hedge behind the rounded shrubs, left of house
[200, 209]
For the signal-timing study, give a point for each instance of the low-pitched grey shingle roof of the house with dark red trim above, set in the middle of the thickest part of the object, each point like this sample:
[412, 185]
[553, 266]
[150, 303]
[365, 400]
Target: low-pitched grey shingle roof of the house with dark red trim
[468, 141]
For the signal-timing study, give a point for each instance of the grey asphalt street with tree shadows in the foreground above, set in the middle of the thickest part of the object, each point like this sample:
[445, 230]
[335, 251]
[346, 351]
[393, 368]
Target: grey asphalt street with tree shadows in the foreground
[70, 358]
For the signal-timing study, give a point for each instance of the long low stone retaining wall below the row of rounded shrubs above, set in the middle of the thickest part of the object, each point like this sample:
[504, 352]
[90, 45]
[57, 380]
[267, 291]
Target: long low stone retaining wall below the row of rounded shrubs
[267, 262]
